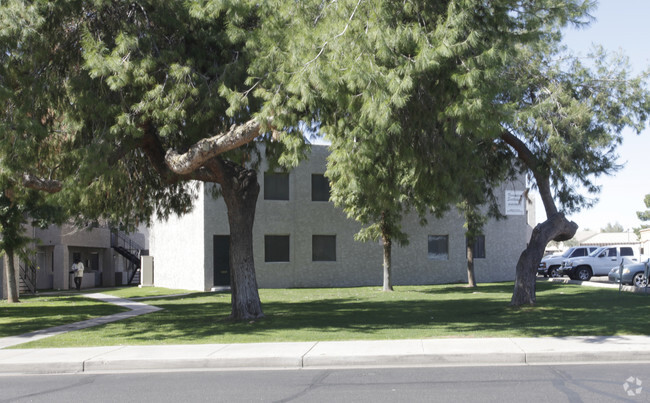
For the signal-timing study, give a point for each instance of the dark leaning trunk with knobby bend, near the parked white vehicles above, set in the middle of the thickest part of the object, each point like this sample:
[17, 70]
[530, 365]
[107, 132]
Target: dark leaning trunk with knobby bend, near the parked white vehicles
[557, 228]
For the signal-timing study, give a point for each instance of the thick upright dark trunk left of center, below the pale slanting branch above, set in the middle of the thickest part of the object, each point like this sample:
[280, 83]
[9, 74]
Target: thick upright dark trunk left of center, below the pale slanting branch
[240, 190]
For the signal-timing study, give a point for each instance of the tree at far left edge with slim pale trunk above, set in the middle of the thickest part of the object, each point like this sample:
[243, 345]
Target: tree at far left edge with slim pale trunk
[30, 153]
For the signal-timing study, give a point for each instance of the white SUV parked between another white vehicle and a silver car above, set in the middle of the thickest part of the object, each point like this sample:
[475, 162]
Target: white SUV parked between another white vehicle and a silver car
[598, 263]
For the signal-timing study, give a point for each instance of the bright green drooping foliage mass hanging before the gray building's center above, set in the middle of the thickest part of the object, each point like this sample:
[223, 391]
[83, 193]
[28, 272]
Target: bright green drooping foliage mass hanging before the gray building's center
[408, 91]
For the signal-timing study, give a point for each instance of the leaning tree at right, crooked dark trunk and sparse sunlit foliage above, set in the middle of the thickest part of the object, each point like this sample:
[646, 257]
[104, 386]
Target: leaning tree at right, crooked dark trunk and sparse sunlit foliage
[567, 120]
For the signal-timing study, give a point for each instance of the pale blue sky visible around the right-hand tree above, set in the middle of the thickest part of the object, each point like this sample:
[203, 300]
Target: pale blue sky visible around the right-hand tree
[619, 25]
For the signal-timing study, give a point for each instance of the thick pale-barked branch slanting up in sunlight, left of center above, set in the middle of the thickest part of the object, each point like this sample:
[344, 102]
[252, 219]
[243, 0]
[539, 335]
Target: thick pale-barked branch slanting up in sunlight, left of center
[204, 150]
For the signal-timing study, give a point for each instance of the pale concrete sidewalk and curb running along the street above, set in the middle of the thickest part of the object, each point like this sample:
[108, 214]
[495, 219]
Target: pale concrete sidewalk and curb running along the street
[346, 354]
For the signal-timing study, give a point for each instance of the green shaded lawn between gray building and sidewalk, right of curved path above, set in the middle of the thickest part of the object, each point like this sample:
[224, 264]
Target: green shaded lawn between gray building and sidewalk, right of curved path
[368, 313]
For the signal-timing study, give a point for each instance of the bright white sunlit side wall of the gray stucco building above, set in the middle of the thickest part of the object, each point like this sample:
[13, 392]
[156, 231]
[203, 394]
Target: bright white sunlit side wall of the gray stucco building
[178, 248]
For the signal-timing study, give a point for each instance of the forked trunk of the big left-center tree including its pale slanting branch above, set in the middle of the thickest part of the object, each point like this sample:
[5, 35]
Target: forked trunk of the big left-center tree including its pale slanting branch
[240, 190]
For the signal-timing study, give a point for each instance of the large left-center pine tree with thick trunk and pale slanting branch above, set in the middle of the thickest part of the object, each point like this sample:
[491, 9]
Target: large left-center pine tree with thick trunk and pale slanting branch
[150, 96]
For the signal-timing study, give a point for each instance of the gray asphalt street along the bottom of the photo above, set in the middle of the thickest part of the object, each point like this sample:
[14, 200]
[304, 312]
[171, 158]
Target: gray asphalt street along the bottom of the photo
[540, 383]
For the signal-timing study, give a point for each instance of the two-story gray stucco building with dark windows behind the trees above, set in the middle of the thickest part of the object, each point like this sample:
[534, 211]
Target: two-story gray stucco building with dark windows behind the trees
[302, 240]
